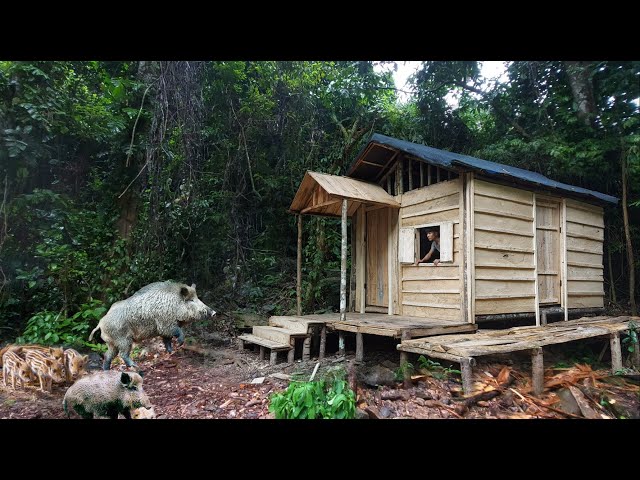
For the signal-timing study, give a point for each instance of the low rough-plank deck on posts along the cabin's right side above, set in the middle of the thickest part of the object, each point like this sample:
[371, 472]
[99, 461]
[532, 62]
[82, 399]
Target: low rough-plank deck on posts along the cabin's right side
[463, 348]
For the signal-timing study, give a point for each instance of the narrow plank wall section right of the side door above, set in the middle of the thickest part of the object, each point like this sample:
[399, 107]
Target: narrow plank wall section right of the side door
[584, 239]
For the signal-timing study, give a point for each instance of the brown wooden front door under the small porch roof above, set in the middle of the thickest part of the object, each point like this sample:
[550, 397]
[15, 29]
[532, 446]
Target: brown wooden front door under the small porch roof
[377, 287]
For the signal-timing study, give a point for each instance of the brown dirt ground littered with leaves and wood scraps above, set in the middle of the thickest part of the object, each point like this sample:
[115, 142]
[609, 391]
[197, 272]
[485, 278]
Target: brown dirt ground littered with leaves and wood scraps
[218, 385]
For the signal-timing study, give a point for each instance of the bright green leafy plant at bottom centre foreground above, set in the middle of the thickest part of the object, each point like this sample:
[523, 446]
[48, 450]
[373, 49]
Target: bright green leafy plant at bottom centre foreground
[321, 399]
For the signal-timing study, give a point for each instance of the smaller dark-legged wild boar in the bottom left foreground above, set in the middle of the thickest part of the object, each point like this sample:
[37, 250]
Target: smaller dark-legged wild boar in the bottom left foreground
[106, 394]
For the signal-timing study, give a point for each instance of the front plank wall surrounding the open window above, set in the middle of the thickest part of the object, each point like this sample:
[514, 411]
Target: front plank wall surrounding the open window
[427, 290]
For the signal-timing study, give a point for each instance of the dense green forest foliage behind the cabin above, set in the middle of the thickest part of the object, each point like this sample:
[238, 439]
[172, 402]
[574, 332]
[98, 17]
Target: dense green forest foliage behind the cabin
[117, 174]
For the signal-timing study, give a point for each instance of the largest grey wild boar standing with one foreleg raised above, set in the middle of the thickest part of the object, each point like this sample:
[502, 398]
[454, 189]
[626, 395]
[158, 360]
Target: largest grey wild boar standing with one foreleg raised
[158, 309]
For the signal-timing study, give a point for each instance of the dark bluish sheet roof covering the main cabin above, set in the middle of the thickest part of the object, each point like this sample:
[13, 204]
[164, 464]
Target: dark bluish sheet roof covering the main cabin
[446, 159]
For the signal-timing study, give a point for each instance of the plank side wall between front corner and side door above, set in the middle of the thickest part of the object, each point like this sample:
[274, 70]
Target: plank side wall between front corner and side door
[504, 263]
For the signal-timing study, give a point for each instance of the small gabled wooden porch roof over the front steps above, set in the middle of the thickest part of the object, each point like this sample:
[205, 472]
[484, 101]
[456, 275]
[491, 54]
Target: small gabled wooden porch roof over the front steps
[322, 194]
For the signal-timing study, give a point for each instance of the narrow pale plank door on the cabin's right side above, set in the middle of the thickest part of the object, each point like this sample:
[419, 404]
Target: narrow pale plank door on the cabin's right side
[548, 250]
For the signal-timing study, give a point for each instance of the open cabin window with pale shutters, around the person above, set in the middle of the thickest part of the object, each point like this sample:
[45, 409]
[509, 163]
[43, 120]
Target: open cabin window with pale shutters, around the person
[414, 243]
